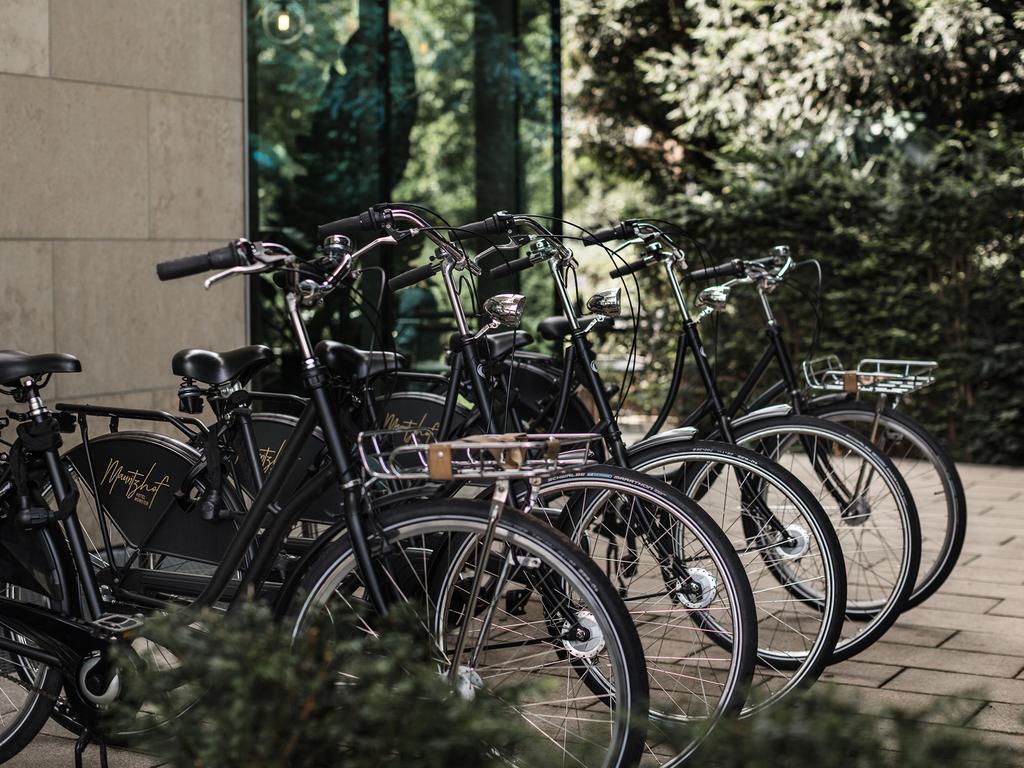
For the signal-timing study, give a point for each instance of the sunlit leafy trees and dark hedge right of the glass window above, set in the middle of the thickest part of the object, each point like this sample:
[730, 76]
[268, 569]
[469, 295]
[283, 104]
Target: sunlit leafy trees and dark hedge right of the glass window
[883, 138]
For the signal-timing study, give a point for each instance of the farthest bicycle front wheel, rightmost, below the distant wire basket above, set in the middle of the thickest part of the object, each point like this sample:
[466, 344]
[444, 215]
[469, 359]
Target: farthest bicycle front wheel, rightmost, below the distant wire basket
[931, 476]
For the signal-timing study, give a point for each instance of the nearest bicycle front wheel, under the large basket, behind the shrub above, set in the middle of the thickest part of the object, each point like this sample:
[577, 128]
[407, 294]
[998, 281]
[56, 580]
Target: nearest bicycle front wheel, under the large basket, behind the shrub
[546, 616]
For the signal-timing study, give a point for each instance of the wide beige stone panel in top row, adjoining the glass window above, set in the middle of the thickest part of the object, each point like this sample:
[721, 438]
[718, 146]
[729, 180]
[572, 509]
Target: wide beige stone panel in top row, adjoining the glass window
[193, 47]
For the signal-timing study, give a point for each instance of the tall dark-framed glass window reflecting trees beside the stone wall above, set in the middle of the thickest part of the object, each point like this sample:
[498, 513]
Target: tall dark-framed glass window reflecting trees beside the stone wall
[449, 104]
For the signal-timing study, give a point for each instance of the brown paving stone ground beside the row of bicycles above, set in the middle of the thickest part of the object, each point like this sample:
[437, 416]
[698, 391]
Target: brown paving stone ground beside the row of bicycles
[966, 644]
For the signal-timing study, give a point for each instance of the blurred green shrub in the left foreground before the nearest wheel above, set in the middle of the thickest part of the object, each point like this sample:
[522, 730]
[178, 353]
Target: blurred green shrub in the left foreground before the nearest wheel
[252, 699]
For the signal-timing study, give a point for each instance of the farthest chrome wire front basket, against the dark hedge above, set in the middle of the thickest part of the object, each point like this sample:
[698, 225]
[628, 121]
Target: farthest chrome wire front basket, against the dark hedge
[873, 375]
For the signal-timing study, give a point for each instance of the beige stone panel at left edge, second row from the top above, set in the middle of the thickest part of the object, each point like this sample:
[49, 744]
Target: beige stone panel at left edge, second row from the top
[73, 160]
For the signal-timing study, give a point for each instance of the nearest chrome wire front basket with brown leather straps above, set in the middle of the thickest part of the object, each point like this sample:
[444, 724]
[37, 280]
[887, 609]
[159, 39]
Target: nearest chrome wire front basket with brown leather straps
[413, 455]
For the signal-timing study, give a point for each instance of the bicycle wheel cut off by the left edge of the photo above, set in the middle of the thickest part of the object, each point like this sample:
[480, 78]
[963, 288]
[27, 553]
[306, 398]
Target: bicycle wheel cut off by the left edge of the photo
[28, 689]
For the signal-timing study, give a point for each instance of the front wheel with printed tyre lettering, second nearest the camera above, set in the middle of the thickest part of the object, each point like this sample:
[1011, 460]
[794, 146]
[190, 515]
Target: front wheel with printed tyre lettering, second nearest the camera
[684, 586]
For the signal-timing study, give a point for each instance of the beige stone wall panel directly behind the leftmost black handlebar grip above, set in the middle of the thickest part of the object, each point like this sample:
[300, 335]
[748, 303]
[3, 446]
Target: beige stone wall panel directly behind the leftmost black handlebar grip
[125, 325]
